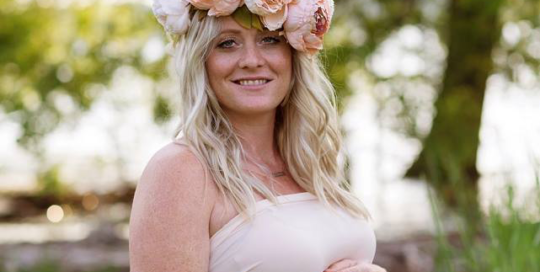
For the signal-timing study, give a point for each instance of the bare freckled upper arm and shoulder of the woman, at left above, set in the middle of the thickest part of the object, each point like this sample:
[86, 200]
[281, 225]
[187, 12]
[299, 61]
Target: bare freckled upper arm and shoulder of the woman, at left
[170, 214]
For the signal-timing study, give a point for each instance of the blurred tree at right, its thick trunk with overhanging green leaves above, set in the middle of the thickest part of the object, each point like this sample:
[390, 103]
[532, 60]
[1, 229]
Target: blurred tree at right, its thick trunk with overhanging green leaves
[470, 29]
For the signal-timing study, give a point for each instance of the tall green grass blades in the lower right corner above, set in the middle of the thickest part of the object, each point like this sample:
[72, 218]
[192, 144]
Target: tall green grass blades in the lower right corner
[510, 243]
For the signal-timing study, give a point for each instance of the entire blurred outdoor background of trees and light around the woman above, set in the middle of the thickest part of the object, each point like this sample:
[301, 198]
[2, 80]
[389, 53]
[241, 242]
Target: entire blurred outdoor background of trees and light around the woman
[440, 106]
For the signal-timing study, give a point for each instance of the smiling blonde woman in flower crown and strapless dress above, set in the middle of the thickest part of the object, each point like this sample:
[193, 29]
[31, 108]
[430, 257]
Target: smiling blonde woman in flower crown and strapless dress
[251, 182]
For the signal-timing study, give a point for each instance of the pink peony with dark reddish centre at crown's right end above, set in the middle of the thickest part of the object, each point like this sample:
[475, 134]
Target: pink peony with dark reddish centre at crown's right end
[307, 22]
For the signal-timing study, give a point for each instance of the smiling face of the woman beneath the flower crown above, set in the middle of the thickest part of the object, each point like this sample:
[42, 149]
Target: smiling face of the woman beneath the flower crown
[249, 70]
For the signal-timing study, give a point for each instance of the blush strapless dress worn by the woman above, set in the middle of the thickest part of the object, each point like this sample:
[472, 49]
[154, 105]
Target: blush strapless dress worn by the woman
[298, 235]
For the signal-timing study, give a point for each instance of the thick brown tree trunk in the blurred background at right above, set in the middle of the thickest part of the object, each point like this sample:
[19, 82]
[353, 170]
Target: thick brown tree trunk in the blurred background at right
[448, 158]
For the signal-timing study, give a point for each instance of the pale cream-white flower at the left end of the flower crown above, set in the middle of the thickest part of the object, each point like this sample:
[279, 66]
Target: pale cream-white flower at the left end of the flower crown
[173, 15]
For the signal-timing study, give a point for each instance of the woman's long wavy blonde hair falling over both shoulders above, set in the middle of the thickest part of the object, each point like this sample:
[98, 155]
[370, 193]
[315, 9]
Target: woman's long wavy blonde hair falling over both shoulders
[306, 129]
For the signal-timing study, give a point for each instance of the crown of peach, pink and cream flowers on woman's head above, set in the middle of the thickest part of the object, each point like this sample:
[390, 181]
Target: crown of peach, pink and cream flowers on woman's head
[303, 22]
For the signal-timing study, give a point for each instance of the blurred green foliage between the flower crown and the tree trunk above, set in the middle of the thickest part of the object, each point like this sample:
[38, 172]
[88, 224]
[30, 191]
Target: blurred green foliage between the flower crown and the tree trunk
[343, 57]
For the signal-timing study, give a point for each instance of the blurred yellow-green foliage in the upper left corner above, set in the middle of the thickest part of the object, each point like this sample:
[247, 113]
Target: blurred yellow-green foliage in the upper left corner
[47, 52]
